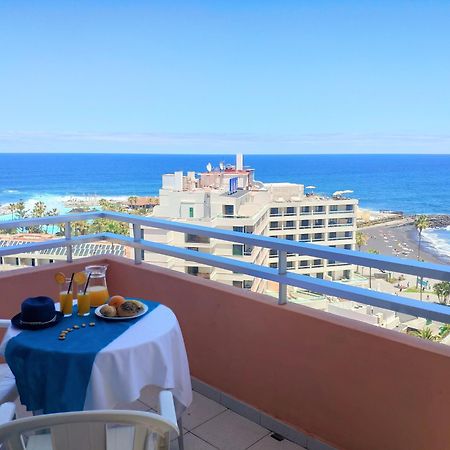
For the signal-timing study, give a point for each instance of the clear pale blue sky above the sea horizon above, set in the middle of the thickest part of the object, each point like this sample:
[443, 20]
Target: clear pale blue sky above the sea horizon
[212, 76]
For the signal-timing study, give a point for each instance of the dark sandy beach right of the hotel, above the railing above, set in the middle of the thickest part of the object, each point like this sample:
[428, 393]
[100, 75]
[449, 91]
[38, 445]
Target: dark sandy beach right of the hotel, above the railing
[397, 239]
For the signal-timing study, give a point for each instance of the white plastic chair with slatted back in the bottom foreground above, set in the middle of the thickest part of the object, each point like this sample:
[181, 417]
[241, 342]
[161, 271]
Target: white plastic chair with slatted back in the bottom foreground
[89, 430]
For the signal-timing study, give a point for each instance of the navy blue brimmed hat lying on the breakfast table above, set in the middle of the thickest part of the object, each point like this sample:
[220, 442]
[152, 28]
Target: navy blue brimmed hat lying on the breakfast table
[37, 313]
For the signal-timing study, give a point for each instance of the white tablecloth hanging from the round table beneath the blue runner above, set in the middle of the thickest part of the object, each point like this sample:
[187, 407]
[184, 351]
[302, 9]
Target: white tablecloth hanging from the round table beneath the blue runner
[149, 353]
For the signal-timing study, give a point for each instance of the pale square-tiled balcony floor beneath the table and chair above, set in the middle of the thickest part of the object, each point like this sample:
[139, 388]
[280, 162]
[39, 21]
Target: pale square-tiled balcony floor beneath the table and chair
[210, 426]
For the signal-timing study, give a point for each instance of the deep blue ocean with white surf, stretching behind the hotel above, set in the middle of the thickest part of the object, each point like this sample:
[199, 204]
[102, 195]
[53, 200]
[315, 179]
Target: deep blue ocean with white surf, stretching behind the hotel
[413, 184]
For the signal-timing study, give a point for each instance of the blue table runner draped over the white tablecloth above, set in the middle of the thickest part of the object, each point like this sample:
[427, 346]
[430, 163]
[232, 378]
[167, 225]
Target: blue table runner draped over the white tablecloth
[53, 375]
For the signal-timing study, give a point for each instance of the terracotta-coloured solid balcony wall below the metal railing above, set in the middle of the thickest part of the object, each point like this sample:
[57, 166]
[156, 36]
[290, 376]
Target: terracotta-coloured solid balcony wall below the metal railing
[352, 385]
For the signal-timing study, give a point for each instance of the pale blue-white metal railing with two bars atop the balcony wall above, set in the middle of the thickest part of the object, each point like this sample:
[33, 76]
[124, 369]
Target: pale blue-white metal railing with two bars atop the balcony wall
[430, 311]
